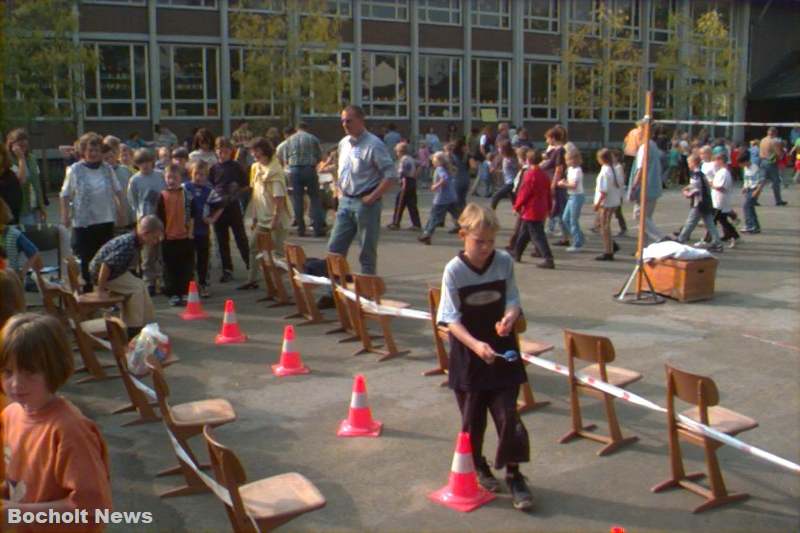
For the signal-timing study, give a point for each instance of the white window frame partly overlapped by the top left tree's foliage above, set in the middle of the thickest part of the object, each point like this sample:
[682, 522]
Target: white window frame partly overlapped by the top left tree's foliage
[134, 101]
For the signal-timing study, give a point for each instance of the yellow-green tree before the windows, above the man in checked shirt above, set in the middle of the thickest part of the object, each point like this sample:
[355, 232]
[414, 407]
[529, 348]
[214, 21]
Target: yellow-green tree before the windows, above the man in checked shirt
[289, 65]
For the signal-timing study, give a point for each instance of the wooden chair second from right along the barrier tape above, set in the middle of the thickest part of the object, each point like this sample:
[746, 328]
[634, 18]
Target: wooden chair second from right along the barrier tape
[599, 351]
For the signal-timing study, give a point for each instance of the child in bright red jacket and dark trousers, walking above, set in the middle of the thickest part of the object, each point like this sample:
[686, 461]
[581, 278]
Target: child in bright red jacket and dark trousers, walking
[533, 203]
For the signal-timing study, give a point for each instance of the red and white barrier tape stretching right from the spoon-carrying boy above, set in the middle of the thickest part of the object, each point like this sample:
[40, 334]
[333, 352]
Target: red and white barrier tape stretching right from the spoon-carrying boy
[643, 402]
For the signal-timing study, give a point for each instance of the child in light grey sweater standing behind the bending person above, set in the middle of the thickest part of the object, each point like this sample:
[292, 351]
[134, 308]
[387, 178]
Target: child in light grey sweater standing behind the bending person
[143, 193]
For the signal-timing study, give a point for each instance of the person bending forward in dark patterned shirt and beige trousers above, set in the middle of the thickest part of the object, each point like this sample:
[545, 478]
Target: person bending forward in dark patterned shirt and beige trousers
[110, 270]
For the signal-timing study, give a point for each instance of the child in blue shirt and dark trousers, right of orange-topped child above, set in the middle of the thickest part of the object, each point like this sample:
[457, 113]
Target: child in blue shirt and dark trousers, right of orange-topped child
[199, 190]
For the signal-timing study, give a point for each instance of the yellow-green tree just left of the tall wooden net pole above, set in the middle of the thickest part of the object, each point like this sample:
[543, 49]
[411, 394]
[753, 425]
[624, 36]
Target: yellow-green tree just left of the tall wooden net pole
[602, 66]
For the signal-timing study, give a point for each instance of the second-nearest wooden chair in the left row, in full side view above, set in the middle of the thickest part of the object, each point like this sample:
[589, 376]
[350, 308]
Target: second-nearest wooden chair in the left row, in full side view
[185, 421]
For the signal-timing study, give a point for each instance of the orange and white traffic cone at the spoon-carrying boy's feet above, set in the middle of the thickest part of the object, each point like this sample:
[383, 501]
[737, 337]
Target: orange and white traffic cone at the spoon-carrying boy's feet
[462, 492]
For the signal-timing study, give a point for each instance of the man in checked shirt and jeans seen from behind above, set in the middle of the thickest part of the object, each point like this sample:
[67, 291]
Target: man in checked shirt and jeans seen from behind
[301, 152]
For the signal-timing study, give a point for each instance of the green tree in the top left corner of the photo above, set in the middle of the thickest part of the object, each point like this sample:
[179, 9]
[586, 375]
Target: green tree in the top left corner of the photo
[42, 62]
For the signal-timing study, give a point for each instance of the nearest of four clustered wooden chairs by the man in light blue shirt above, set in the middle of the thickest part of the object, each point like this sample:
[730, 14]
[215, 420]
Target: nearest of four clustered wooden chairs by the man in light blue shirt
[370, 287]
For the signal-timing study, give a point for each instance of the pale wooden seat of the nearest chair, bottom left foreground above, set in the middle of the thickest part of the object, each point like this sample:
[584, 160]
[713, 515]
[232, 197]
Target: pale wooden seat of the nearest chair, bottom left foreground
[284, 494]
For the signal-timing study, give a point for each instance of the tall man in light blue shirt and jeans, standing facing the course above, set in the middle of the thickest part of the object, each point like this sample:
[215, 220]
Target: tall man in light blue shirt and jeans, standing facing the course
[366, 172]
